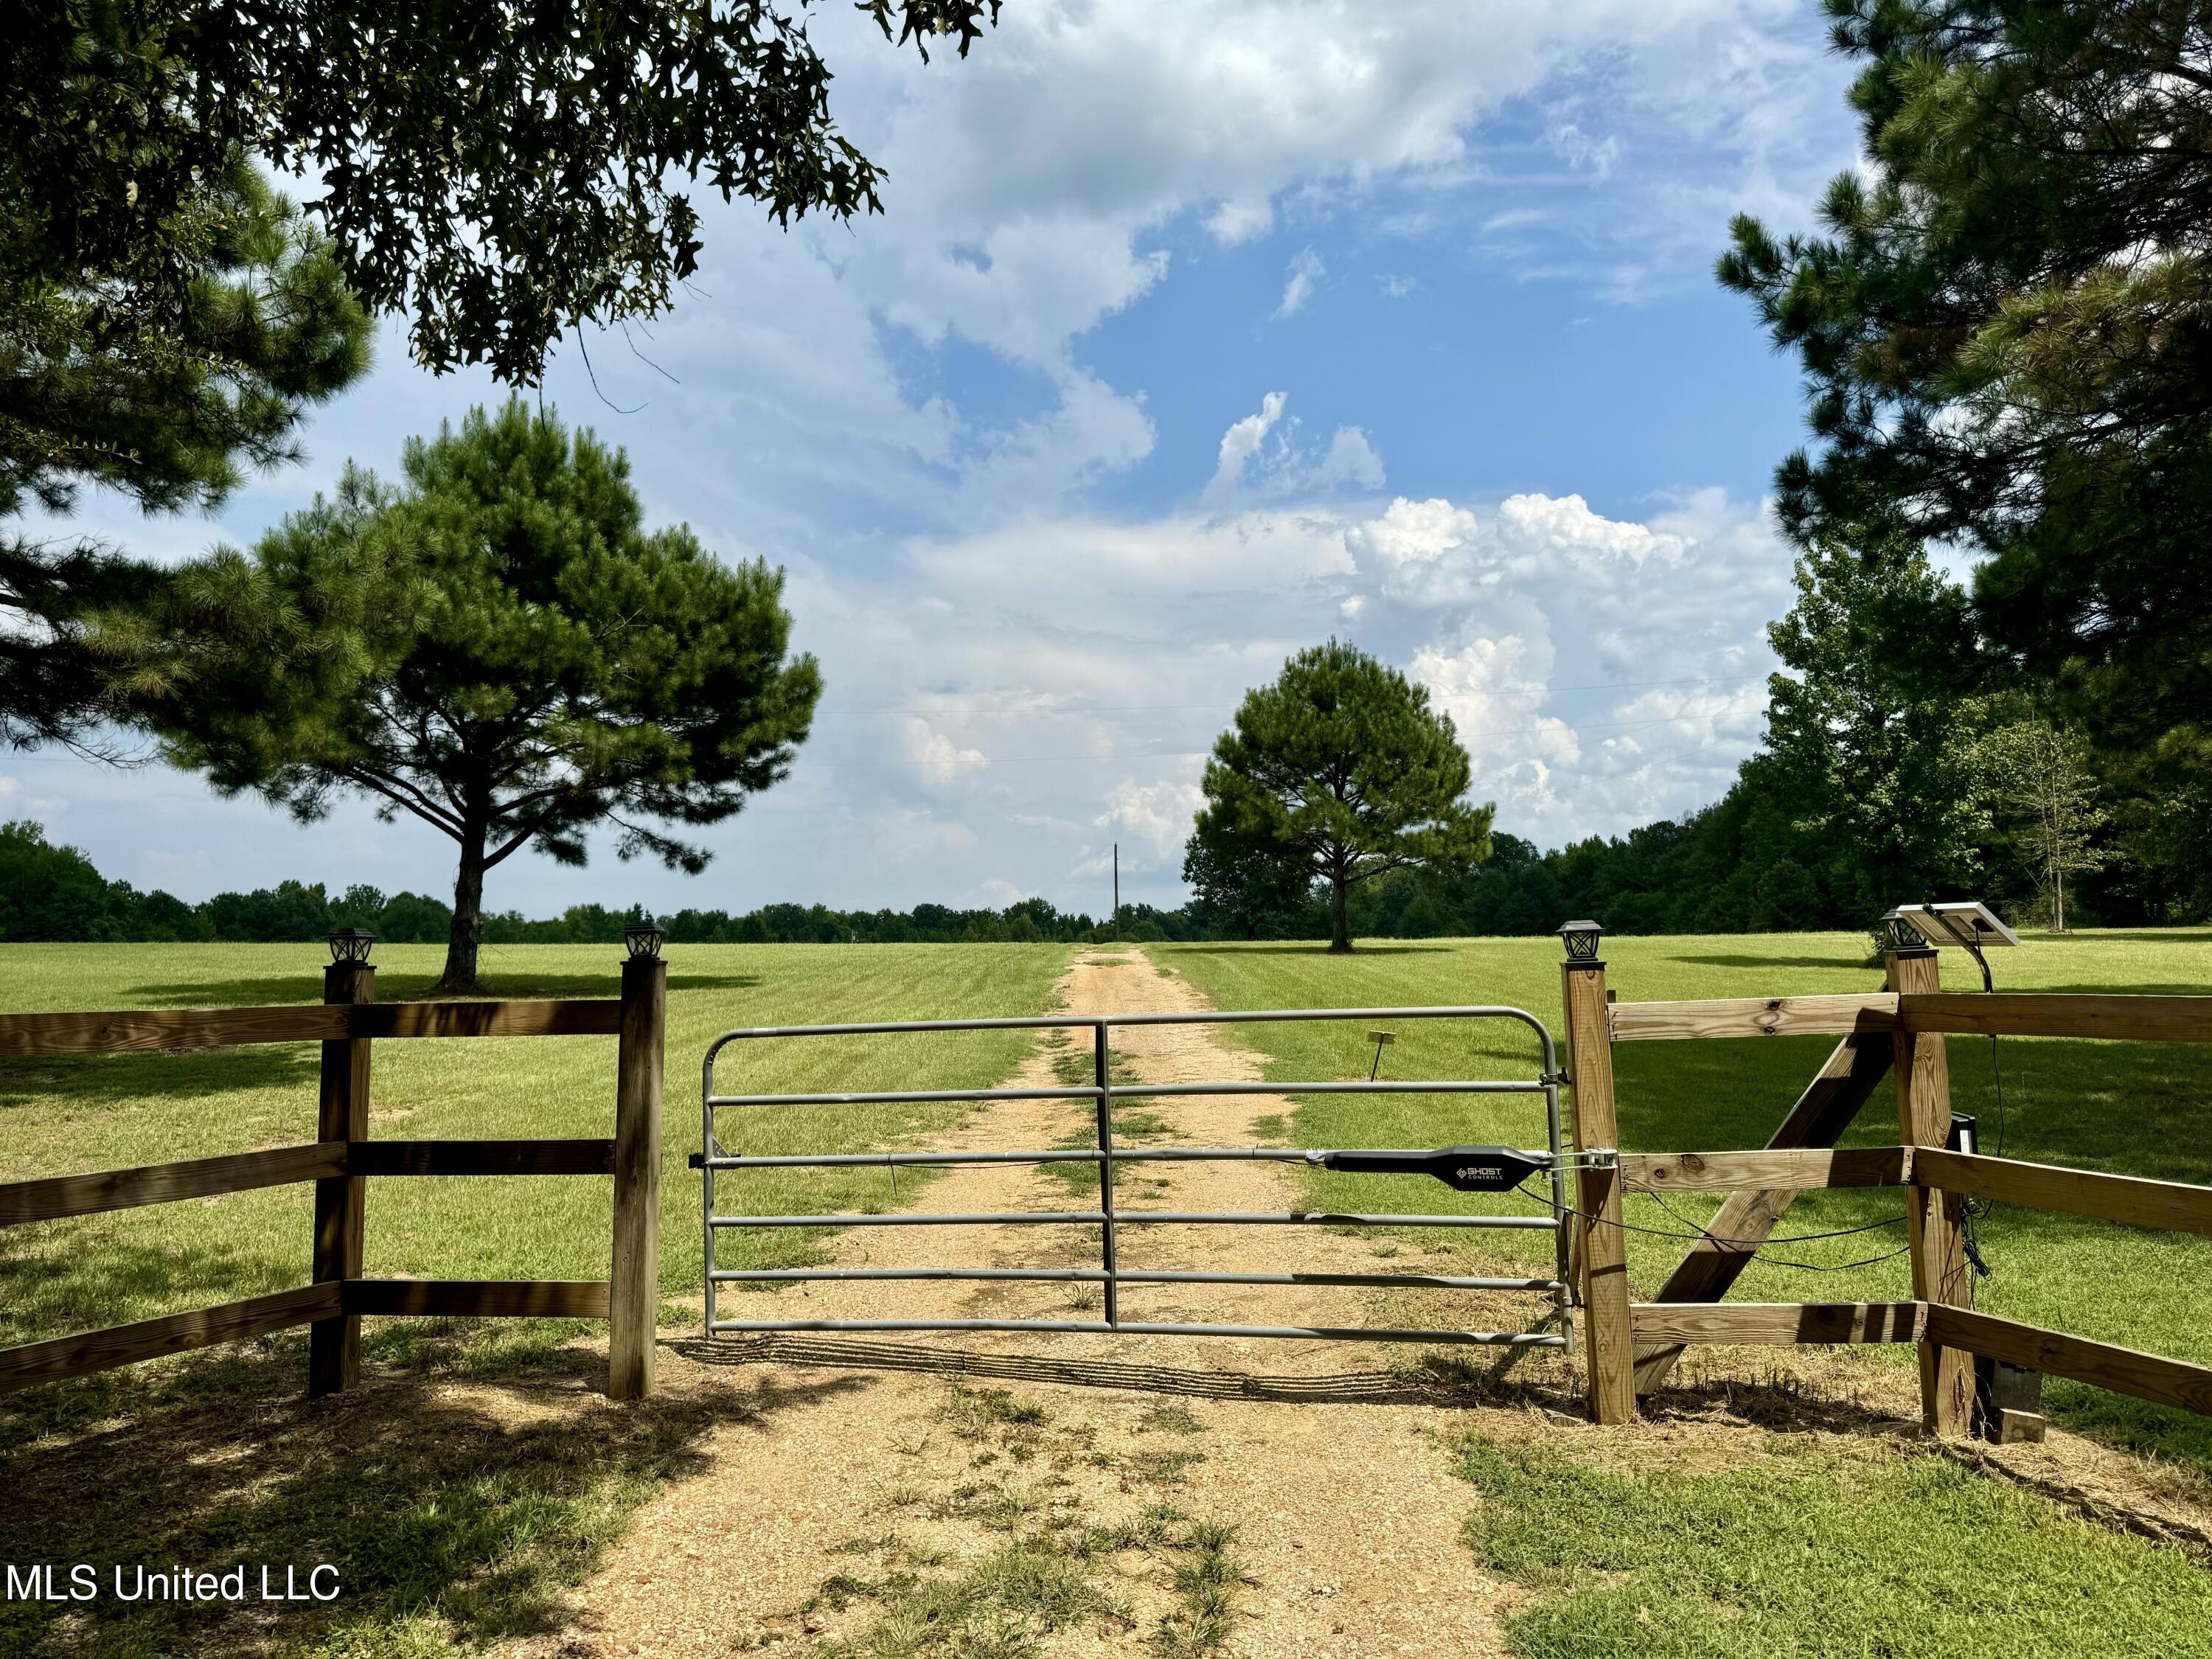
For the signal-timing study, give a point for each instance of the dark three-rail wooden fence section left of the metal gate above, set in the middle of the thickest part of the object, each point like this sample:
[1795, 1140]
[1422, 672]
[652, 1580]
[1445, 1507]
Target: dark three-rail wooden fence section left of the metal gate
[342, 1160]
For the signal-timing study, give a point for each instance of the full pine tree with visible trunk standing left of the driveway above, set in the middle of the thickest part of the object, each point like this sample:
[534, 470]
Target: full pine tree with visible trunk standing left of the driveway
[503, 651]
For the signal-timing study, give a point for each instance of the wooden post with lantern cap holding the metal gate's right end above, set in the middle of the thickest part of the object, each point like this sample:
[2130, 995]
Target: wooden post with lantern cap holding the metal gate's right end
[1600, 1242]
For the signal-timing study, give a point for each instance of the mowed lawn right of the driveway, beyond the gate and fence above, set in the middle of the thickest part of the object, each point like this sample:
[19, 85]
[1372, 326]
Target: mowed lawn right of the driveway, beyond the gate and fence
[2131, 1109]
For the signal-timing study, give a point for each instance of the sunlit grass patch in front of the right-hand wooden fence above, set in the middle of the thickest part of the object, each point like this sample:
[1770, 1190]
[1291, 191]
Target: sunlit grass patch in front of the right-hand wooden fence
[1815, 1558]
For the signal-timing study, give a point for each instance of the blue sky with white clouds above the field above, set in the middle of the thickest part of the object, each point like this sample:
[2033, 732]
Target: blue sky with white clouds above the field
[1191, 335]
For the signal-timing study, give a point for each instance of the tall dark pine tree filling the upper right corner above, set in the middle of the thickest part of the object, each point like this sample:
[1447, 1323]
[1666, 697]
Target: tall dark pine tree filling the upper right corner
[2007, 342]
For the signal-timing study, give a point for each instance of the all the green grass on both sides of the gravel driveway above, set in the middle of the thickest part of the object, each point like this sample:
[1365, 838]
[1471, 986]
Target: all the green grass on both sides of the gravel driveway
[461, 1525]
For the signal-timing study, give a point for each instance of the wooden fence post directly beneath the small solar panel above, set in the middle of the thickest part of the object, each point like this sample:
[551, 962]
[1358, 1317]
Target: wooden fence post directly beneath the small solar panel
[1932, 1215]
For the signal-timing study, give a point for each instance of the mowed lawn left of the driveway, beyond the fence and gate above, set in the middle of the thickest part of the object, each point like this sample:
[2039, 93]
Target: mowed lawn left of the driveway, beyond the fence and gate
[116, 1112]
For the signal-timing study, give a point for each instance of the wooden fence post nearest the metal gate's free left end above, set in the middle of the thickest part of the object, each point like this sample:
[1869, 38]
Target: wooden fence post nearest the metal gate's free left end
[636, 1282]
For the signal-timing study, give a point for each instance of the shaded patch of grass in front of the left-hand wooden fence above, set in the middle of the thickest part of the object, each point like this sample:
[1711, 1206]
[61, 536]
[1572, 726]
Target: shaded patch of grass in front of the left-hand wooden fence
[455, 1516]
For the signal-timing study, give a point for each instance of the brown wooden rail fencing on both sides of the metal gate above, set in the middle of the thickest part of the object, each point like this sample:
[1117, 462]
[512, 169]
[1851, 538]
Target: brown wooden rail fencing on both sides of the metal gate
[1631, 1346]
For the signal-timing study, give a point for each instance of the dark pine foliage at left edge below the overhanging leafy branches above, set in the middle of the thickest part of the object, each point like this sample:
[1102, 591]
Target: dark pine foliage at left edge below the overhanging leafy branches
[165, 399]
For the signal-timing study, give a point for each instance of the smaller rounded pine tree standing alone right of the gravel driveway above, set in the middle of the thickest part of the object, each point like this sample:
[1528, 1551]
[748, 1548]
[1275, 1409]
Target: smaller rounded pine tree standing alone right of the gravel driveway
[1337, 773]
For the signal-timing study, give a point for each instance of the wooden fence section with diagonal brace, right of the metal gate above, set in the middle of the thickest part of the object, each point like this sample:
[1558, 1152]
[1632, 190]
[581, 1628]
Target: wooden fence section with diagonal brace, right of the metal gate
[1899, 1032]
